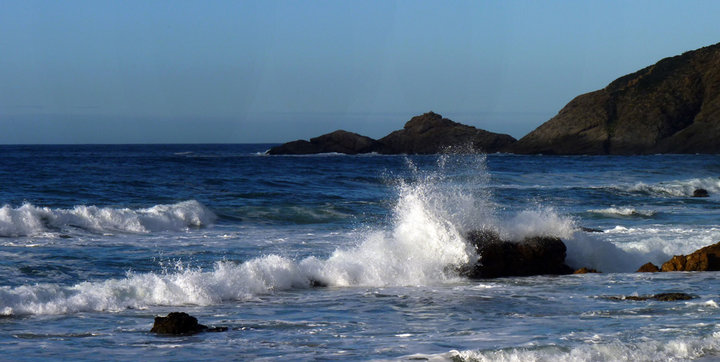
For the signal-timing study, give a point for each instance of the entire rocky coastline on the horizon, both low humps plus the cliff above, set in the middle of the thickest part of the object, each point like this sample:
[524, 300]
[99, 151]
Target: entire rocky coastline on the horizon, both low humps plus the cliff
[672, 106]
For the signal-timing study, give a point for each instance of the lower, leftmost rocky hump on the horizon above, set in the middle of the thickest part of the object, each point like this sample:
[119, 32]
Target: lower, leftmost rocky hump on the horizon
[339, 141]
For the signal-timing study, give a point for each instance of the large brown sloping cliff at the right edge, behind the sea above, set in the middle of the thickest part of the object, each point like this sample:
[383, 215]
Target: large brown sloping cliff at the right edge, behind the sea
[670, 107]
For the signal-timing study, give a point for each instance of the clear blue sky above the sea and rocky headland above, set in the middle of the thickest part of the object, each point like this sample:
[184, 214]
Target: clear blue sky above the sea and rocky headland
[274, 71]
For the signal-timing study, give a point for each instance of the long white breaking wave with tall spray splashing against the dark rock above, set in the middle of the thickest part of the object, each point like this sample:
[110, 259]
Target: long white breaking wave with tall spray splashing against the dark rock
[425, 238]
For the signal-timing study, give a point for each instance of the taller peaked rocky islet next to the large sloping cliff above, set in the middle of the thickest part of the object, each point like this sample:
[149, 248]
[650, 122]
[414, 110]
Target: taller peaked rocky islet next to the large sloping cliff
[431, 133]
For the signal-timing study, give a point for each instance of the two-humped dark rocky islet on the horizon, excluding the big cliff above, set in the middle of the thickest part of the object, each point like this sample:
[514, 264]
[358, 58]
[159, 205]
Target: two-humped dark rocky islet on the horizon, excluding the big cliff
[425, 134]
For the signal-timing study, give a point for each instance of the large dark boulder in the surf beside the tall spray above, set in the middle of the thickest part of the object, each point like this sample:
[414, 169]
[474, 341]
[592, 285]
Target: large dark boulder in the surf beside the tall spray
[530, 256]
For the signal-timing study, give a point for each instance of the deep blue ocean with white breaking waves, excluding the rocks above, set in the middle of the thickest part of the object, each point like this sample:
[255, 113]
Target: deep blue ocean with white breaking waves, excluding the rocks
[95, 241]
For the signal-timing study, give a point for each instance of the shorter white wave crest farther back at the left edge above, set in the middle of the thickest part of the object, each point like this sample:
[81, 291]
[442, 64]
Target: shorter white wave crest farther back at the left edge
[29, 220]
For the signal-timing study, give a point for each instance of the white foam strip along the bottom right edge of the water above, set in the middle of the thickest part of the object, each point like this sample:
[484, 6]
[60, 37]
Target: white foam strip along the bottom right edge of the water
[677, 349]
